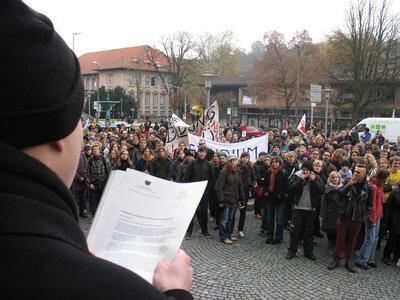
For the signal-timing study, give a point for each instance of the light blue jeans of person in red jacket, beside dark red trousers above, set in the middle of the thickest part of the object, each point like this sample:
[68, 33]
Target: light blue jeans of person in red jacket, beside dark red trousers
[368, 248]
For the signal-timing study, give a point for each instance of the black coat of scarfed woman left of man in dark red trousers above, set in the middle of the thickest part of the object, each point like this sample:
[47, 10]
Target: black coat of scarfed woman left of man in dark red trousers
[330, 209]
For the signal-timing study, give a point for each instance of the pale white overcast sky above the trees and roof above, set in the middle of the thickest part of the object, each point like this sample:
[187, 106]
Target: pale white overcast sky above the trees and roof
[124, 23]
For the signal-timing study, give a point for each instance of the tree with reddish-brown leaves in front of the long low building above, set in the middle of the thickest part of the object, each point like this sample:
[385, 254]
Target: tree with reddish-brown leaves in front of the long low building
[284, 64]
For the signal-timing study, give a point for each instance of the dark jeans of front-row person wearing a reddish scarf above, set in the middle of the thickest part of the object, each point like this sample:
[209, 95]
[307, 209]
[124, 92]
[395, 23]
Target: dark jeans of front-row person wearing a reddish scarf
[275, 220]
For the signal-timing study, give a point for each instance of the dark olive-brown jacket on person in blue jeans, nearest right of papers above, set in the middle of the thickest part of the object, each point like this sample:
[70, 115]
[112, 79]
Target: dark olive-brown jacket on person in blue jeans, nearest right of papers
[229, 188]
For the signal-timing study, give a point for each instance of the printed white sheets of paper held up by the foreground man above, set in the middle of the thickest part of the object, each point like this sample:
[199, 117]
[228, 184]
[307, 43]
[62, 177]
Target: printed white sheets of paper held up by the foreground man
[142, 220]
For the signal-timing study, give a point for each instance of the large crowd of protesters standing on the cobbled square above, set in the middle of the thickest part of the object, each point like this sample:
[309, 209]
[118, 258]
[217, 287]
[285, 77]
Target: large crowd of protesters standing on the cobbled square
[342, 187]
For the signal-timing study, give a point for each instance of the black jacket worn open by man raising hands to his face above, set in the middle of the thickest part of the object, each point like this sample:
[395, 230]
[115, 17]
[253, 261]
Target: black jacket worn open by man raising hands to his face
[316, 189]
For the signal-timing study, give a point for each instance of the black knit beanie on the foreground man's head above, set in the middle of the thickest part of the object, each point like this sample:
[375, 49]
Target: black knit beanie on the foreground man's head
[40, 82]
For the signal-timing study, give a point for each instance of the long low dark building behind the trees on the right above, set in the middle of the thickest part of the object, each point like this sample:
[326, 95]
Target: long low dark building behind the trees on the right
[249, 107]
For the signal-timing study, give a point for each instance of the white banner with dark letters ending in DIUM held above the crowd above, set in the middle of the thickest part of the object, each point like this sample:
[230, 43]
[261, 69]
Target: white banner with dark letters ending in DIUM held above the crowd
[253, 146]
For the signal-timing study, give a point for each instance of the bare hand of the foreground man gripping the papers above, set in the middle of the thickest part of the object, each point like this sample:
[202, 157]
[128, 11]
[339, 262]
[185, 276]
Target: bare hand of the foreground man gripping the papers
[174, 275]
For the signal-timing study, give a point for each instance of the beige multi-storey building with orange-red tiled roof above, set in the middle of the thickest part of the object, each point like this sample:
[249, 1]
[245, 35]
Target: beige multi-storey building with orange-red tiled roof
[131, 69]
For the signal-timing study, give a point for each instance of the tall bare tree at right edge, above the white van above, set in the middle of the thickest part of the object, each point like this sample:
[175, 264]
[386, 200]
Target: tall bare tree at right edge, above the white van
[365, 55]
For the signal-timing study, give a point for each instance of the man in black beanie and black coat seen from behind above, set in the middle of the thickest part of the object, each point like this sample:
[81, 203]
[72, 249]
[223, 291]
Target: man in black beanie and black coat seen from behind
[43, 253]
